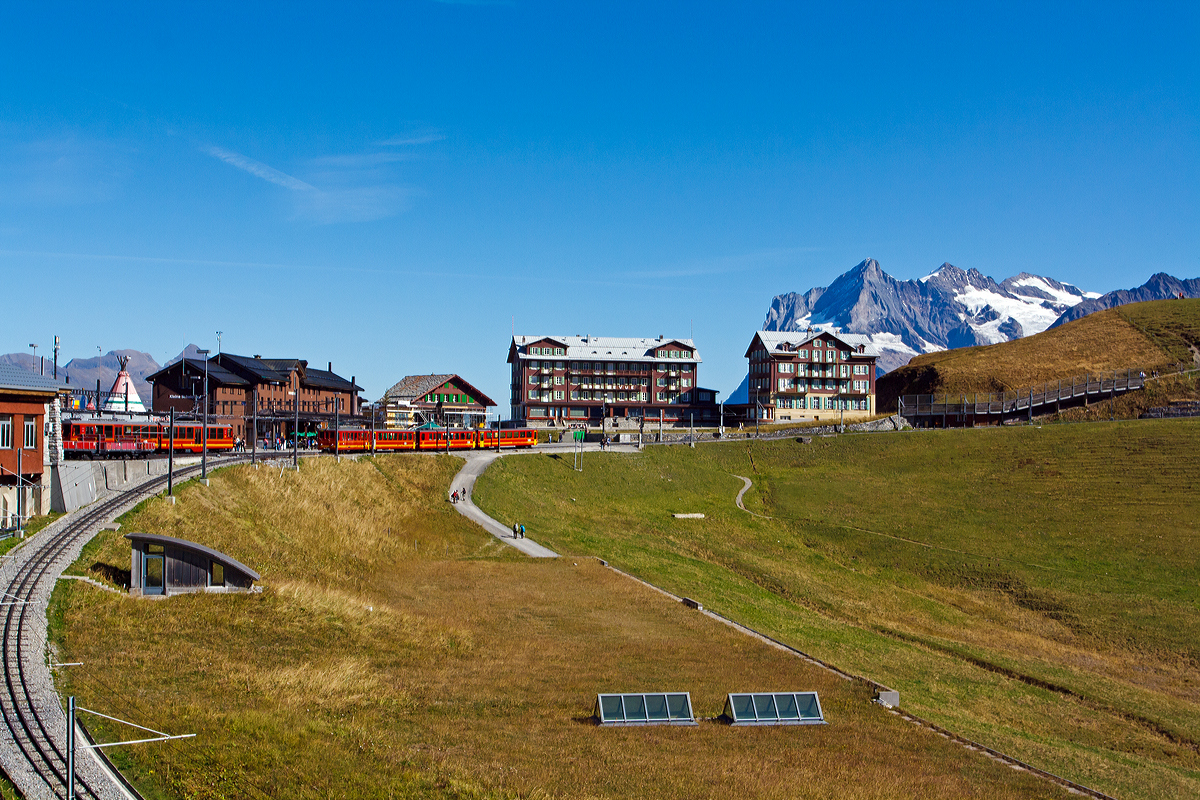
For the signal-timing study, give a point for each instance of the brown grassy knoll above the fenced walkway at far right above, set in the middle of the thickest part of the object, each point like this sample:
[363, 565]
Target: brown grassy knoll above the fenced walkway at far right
[1147, 336]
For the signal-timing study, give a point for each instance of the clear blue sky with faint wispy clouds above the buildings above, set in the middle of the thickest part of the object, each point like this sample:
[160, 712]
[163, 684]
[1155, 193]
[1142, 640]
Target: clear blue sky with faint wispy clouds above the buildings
[394, 187]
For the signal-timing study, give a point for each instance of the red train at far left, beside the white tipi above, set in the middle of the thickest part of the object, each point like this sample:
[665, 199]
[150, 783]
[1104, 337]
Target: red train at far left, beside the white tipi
[117, 438]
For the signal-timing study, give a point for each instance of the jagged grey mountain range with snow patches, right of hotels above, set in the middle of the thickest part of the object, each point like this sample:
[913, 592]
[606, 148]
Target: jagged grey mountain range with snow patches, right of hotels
[950, 308]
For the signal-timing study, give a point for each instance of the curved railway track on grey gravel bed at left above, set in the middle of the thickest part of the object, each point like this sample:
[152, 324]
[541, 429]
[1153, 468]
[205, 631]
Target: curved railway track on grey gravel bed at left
[33, 714]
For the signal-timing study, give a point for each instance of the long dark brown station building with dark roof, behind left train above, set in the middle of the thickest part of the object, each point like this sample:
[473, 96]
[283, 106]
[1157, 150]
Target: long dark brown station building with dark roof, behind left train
[237, 383]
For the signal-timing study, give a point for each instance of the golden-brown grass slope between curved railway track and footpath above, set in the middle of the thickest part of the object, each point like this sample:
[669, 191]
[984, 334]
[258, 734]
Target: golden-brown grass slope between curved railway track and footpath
[399, 652]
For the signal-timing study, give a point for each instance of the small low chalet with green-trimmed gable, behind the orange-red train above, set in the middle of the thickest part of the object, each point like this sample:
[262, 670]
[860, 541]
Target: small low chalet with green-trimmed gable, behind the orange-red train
[443, 400]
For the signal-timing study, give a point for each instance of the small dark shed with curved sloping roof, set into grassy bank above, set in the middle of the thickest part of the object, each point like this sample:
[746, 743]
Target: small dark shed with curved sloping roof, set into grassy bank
[165, 566]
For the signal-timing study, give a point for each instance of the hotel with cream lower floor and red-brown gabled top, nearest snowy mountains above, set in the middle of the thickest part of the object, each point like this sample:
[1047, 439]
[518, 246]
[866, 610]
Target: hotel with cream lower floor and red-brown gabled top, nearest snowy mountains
[809, 376]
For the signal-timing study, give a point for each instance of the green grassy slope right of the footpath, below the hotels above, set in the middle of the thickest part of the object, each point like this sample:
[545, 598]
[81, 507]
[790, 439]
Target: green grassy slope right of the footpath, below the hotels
[1035, 590]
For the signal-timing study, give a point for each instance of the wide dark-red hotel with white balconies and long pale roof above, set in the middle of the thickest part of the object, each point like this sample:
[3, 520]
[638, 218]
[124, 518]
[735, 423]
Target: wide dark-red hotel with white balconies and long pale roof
[579, 381]
